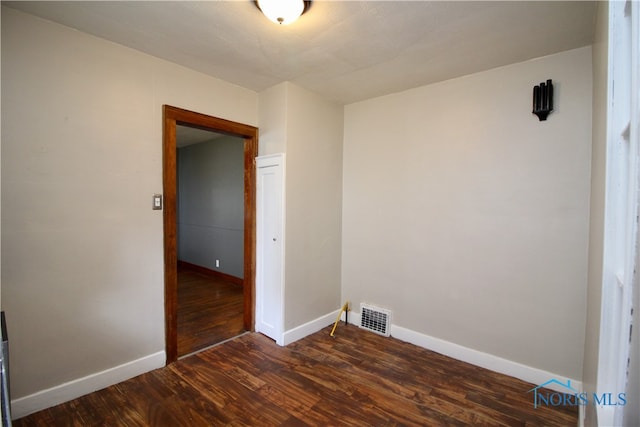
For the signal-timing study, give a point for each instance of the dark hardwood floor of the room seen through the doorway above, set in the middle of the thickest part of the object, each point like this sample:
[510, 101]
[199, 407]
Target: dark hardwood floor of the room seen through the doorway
[210, 310]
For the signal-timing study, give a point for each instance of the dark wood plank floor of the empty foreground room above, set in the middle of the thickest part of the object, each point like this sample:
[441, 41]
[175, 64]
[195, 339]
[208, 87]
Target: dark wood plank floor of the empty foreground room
[356, 378]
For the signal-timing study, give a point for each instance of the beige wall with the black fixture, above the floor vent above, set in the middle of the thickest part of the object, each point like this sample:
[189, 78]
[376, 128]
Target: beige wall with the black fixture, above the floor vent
[468, 218]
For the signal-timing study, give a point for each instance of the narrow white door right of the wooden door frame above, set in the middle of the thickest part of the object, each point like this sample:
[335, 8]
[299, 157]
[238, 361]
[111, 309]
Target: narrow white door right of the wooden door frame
[270, 246]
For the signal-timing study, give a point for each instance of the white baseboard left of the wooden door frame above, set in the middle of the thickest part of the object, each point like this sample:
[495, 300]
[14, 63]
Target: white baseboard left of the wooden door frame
[24, 406]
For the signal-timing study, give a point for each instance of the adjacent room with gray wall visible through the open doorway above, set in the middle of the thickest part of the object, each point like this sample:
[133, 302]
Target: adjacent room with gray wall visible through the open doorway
[210, 234]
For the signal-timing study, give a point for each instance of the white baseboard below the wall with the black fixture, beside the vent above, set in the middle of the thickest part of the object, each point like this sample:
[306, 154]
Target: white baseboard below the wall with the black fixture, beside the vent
[475, 357]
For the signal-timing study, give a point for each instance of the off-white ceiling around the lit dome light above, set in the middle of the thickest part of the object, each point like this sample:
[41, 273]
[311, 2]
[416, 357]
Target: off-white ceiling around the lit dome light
[345, 50]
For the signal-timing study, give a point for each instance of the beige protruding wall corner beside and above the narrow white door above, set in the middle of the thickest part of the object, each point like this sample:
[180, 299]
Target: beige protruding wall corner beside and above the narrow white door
[309, 130]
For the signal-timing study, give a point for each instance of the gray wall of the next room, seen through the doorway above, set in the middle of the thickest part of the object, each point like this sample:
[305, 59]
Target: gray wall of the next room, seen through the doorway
[211, 204]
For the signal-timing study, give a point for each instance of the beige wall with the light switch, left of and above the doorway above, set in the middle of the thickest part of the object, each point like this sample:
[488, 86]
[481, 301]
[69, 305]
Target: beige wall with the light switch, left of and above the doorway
[82, 266]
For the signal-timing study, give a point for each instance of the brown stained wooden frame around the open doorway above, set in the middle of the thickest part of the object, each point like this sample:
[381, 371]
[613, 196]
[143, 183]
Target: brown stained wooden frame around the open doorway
[172, 116]
